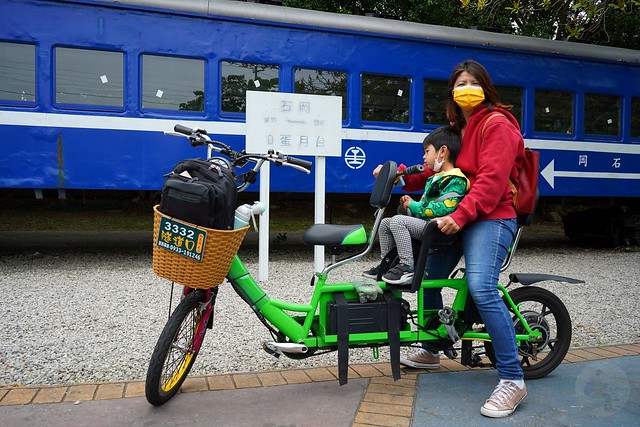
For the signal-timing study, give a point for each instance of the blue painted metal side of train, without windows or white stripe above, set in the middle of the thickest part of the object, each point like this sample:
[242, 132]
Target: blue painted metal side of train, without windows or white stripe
[98, 152]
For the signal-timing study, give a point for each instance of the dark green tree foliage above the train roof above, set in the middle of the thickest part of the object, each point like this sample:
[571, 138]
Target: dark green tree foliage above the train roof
[603, 22]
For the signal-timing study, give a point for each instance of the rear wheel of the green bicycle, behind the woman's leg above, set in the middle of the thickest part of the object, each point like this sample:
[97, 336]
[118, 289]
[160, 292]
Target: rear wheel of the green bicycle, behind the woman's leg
[544, 312]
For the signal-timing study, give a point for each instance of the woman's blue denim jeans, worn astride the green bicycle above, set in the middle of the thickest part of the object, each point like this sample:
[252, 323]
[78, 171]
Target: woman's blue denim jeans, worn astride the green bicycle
[485, 245]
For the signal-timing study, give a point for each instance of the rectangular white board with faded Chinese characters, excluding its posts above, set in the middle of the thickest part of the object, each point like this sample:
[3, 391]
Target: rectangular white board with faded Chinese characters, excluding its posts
[296, 124]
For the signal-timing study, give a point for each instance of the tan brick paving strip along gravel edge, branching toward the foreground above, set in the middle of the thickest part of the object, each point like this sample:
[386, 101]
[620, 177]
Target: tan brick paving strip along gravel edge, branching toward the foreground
[386, 402]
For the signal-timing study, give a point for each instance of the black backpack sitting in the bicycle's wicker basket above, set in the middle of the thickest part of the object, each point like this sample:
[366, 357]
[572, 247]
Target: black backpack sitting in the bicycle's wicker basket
[201, 192]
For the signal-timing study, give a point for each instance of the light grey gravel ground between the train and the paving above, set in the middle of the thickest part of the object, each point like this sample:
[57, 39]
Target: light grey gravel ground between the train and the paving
[94, 317]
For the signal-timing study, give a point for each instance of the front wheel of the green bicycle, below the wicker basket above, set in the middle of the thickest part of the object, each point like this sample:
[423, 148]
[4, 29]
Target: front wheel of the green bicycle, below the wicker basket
[173, 355]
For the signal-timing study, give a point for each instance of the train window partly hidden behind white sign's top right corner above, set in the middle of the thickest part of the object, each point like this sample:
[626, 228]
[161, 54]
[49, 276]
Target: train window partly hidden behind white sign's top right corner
[322, 82]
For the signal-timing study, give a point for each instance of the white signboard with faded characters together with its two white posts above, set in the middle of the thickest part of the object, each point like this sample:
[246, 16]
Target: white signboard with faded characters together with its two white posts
[299, 125]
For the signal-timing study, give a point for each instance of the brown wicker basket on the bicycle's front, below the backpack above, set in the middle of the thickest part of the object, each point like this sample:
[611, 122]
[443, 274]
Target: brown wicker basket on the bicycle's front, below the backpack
[219, 249]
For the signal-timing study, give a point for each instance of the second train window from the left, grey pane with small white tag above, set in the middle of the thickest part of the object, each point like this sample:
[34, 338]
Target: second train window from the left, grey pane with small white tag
[89, 77]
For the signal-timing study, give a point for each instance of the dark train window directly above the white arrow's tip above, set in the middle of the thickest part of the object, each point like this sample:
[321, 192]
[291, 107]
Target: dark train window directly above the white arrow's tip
[553, 111]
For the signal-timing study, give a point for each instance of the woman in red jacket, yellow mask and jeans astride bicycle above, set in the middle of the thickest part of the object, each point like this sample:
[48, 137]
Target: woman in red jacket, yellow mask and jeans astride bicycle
[492, 154]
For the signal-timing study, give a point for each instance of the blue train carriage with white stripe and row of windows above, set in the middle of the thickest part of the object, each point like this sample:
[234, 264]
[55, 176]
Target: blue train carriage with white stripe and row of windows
[86, 87]
